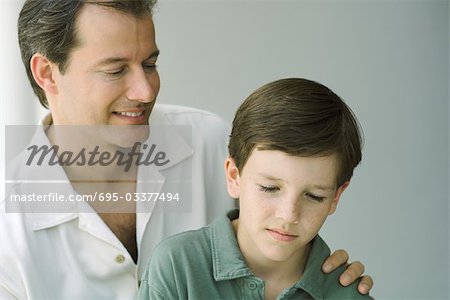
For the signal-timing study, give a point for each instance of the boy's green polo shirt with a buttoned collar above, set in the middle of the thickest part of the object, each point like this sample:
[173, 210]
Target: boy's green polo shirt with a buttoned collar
[207, 264]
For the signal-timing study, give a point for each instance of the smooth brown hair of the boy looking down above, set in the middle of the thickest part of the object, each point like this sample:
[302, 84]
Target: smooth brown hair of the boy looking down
[299, 117]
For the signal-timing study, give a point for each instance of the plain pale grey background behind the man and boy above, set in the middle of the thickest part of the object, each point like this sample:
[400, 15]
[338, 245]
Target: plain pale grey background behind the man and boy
[388, 59]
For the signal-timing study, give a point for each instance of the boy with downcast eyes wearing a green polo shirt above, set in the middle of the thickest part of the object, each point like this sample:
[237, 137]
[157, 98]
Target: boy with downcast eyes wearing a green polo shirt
[292, 151]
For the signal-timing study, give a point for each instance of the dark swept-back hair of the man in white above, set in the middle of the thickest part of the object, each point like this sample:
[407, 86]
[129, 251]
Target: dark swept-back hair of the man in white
[48, 27]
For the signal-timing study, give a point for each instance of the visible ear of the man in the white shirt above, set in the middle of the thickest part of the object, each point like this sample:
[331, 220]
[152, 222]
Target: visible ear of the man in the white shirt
[43, 71]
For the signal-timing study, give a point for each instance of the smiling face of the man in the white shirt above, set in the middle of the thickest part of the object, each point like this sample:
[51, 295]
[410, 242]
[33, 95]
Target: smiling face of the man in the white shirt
[111, 77]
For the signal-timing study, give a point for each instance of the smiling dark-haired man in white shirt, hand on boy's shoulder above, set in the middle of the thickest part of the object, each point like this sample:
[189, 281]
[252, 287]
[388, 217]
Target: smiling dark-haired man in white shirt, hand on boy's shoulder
[93, 63]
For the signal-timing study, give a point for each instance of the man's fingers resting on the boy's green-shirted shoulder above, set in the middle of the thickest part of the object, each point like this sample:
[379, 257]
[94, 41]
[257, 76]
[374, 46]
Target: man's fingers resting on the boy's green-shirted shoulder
[353, 272]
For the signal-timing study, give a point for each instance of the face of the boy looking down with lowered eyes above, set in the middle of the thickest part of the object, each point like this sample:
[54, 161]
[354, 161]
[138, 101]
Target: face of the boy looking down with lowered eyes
[284, 200]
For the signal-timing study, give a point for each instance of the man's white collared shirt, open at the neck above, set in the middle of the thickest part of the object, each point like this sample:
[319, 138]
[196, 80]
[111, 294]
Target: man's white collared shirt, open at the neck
[74, 255]
